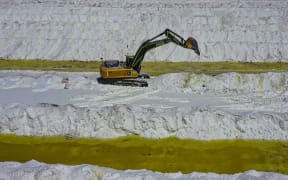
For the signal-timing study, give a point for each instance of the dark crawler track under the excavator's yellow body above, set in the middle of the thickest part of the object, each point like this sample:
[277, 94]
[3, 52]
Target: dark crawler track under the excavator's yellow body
[123, 82]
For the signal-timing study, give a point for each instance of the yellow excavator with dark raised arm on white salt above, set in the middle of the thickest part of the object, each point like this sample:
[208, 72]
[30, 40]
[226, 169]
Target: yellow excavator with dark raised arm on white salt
[127, 73]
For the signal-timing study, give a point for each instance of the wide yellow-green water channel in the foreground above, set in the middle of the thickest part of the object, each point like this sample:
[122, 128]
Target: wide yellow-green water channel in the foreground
[165, 155]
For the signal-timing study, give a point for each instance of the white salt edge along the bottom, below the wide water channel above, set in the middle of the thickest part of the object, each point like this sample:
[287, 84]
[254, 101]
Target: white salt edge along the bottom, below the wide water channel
[36, 171]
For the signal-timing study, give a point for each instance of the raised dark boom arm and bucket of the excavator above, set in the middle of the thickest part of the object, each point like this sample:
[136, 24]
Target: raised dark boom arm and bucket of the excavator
[170, 36]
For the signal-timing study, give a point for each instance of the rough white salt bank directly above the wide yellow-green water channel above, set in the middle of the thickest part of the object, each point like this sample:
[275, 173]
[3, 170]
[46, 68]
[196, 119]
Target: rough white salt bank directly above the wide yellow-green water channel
[202, 123]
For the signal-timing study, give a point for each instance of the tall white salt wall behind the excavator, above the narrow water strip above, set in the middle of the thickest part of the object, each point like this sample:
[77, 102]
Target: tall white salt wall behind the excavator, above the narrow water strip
[227, 30]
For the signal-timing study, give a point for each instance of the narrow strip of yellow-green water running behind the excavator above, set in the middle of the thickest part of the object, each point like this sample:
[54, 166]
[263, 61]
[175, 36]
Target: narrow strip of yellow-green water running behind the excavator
[152, 68]
